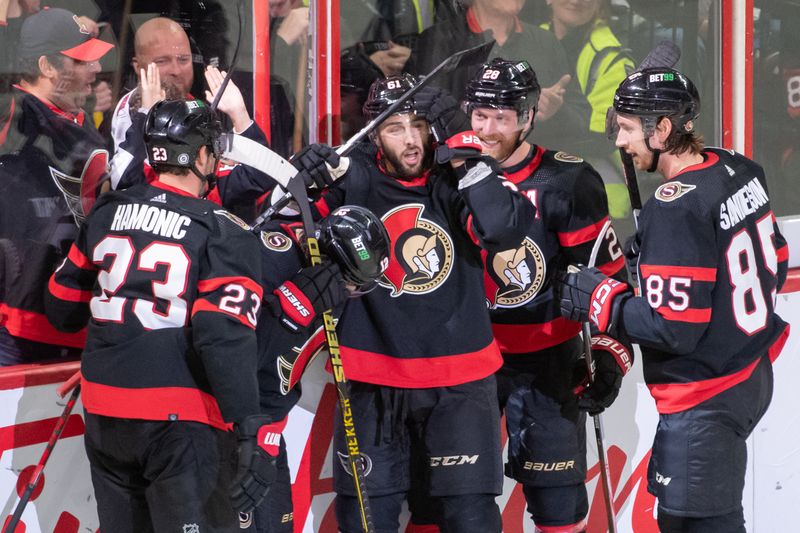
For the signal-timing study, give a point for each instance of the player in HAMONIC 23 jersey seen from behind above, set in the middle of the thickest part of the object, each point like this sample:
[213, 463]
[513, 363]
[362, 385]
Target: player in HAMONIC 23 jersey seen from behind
[171, 285]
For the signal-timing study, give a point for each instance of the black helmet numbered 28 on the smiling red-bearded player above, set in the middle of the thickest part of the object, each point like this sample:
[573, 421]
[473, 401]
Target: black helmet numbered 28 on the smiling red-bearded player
[504, 84]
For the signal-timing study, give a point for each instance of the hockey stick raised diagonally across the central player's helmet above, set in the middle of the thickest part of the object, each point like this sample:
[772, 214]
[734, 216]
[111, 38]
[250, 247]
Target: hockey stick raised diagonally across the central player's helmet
[470, 56]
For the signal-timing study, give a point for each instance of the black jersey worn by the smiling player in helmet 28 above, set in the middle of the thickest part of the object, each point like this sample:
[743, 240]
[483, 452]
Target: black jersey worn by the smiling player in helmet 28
[571, 212]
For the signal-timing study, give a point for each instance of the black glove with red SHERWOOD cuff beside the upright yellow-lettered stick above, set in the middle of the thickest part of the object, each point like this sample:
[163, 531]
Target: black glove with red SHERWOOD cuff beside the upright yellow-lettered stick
[311, 292]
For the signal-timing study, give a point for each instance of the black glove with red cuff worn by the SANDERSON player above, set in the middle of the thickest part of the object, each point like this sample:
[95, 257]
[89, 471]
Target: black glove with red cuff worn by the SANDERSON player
[587, 294]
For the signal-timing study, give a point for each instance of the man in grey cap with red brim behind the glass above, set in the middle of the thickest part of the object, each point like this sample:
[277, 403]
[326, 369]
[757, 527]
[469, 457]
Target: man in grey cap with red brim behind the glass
[51, 146]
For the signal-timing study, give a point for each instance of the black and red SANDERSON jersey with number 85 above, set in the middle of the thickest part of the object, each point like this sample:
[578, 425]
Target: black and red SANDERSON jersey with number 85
[711, 261]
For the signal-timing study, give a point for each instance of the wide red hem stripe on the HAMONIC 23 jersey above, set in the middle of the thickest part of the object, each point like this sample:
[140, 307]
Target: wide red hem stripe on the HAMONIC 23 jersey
[152, 403]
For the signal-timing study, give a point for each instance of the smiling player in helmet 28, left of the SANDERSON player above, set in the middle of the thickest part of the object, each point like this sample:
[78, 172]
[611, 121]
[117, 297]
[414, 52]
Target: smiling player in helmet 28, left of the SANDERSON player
[545, 417]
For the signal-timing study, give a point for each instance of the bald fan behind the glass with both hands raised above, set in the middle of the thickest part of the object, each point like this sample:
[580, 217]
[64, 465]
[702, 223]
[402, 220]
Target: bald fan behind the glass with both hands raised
[163, 63]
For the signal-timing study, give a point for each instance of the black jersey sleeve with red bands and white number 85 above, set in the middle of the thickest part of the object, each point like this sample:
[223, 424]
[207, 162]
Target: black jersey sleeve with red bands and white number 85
[677, 277]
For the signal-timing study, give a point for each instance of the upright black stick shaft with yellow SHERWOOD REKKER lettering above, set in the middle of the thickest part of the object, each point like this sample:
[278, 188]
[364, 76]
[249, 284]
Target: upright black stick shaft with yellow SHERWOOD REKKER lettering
[296, 188]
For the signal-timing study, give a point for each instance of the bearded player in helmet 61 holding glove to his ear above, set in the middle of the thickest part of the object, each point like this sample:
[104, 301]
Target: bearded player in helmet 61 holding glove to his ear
[418, 350]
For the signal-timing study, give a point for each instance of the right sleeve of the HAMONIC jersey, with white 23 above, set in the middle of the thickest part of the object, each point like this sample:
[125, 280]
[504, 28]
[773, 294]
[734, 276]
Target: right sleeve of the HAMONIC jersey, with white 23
[224, 317]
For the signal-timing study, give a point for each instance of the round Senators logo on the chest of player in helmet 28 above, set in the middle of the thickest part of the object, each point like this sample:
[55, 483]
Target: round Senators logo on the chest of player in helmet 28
[514, 277]
